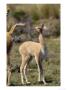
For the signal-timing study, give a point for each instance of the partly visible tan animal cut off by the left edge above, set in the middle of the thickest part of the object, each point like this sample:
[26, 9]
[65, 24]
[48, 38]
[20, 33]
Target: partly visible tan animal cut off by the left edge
[9, 46]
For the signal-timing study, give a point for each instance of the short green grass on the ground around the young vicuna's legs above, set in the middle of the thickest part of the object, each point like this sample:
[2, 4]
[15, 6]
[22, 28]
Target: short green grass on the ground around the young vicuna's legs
[51, 66]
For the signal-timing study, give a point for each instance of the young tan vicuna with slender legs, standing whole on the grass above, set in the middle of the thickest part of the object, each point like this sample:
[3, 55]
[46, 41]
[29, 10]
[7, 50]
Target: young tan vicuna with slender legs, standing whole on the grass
[30, 48]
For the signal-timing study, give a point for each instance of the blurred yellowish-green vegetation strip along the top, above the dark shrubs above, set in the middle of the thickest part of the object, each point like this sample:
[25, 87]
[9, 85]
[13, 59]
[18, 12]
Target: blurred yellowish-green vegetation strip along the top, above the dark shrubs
[36, 10]
